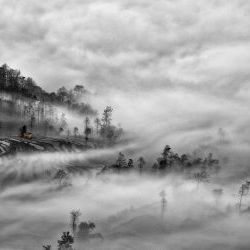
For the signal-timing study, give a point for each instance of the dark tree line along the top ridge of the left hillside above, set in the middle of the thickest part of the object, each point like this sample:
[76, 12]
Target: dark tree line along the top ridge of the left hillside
[11, 81]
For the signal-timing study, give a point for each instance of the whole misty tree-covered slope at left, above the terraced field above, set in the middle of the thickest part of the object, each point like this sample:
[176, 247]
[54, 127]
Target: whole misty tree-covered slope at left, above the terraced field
[37, 109]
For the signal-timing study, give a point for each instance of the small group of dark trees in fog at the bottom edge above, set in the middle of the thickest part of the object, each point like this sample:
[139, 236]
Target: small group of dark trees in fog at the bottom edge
[82, 231]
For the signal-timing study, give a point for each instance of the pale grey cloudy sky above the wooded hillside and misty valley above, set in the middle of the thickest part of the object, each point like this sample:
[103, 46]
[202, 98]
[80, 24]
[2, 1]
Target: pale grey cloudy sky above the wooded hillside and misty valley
[174, 71]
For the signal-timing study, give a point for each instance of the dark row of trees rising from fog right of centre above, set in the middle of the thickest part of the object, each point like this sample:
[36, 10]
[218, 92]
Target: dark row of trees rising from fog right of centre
[170, 162]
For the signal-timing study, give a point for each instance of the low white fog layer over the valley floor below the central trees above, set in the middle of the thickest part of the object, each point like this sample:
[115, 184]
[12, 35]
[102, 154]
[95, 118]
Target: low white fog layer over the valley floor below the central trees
[126, 208]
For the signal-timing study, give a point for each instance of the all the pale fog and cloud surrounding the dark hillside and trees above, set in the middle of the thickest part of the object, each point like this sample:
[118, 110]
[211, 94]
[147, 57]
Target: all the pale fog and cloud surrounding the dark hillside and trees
[175, 73]
